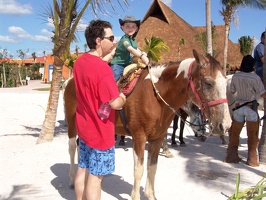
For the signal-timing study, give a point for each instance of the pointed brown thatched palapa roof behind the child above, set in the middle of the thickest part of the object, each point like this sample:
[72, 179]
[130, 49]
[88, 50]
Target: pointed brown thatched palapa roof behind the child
[160, 21]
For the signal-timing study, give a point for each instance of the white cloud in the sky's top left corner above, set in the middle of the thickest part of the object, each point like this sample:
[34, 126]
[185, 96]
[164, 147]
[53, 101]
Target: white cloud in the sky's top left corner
[13, 7]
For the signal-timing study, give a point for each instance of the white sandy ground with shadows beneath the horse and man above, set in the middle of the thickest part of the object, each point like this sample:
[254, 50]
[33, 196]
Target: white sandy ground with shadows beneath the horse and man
[29, 171]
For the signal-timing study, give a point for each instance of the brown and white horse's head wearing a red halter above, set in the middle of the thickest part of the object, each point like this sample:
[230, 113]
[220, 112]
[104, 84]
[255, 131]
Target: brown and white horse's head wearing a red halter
[211, 91]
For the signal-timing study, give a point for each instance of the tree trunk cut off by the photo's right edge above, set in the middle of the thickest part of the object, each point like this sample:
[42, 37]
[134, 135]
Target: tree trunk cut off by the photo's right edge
[262, 143]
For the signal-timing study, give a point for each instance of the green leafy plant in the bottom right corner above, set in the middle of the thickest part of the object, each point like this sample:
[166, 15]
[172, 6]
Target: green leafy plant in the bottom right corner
[255, 193]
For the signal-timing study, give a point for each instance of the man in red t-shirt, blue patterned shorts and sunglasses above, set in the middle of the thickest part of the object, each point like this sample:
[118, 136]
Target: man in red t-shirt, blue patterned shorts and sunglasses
[95, 85]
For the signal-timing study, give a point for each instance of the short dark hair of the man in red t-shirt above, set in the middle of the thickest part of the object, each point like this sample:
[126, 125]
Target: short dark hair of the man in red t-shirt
[95, 30]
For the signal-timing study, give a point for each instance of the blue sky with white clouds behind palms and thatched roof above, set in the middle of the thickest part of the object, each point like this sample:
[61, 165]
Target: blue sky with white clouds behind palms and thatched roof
[23, 26]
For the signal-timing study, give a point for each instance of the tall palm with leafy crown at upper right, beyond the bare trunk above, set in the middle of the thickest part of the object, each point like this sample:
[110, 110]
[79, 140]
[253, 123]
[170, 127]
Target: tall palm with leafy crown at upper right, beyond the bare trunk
[228, 12]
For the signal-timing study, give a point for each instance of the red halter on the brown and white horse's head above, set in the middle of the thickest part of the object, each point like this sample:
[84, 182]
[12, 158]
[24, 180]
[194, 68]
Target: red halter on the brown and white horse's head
[202, 105]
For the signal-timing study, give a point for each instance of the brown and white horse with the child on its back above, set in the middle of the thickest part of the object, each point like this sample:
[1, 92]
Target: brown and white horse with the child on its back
[159, 92]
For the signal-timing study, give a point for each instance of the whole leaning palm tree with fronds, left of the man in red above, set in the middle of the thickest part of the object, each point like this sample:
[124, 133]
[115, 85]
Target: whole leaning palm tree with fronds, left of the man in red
[65, 17]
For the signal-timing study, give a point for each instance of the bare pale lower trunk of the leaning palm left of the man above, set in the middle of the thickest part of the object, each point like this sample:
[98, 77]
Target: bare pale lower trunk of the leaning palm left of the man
[47, 132]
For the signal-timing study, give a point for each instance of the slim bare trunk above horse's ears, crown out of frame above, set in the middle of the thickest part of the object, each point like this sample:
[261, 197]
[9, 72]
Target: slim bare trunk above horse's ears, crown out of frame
[208, 27]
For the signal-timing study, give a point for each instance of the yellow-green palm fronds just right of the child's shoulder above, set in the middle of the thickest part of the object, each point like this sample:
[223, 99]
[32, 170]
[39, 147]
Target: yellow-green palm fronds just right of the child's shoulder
[154, 47]
